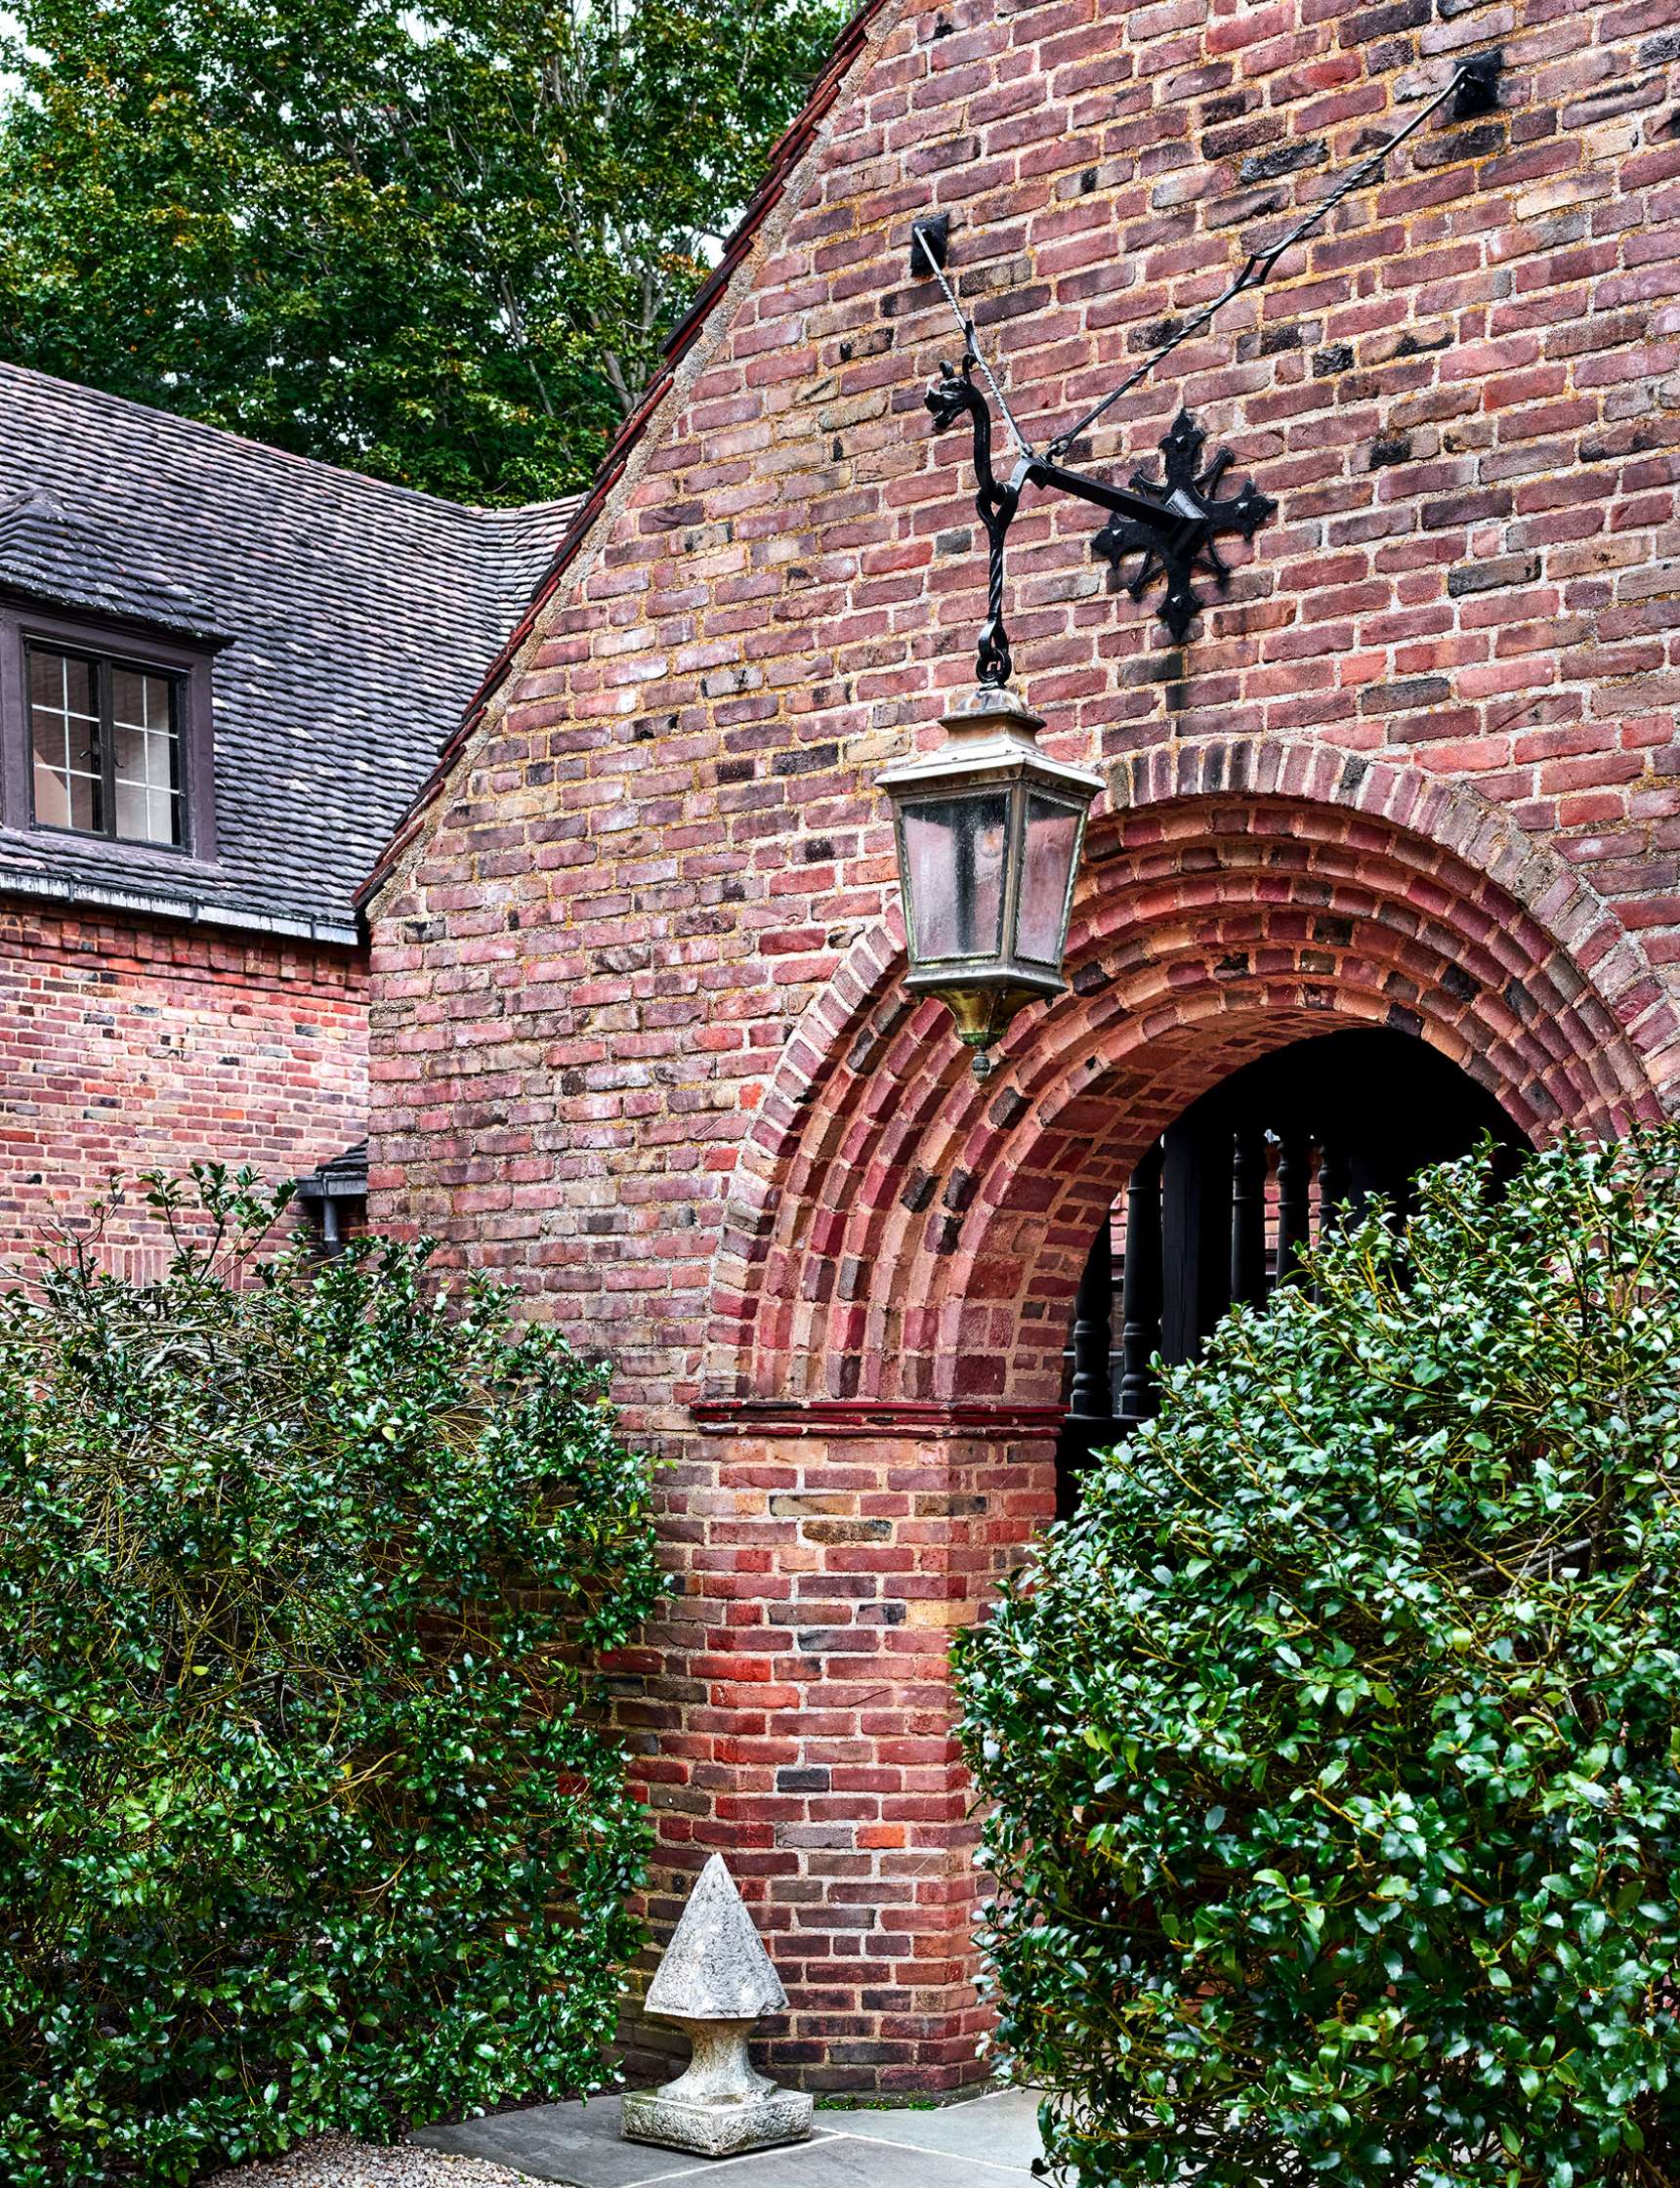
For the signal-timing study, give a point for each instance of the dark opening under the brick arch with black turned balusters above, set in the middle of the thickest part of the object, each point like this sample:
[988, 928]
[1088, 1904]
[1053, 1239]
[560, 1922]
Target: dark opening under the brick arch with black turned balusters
[1246, 1178]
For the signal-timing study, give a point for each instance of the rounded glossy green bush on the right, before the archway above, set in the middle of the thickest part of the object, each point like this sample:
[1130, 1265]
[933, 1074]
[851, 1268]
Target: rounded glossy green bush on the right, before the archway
[1333, 1747]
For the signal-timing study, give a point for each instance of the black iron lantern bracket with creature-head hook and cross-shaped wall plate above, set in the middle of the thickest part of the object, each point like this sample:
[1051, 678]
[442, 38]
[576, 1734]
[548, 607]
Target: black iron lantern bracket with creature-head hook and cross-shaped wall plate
[1171, 526]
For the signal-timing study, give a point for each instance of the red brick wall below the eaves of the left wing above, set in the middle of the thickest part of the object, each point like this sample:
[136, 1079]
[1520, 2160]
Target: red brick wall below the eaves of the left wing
[128, 1049]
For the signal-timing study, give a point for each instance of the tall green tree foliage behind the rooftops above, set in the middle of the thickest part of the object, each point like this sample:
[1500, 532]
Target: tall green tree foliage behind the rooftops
[443, 246]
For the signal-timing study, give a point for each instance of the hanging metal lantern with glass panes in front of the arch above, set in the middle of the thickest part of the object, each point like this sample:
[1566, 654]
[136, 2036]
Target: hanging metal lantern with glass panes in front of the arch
[990, 835]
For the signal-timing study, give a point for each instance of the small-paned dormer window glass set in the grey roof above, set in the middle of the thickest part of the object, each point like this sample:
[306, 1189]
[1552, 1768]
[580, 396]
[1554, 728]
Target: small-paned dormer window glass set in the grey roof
[106, 747]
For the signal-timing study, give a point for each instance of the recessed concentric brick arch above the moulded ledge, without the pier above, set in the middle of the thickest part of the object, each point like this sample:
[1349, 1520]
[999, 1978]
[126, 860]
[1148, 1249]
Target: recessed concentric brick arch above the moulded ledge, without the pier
[907, 1233]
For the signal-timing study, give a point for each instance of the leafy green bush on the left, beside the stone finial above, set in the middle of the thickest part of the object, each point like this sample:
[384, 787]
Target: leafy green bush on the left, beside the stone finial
[305, 1815]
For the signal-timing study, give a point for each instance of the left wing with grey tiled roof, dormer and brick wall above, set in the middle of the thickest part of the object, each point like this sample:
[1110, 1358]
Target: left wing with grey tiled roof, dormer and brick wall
[224, 673]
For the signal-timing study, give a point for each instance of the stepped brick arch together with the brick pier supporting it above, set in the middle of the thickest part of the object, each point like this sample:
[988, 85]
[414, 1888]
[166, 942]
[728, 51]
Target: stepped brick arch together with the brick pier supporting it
[880, 1373]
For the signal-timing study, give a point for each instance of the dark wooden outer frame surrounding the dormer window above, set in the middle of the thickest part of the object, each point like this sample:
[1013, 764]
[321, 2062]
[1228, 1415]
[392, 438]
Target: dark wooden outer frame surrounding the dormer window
[117, 647]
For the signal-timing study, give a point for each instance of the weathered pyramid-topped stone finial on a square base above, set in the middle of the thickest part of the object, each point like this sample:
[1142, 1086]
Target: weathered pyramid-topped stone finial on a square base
[714, 1981]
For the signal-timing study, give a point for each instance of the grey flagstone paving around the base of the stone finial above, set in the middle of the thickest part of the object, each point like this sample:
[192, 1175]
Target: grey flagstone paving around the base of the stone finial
[985, 2143]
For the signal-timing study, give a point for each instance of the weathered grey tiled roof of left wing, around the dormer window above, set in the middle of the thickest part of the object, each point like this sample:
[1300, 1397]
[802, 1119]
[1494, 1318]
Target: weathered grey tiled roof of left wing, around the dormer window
[353, 622]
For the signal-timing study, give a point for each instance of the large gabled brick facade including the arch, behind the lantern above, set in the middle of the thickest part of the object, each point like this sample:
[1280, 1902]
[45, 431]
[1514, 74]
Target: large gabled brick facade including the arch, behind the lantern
[642, 1036]
